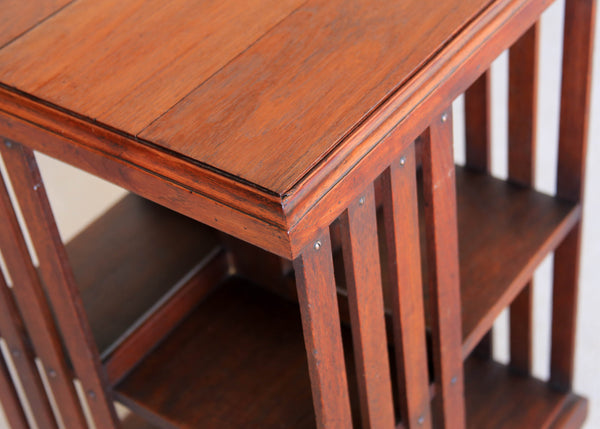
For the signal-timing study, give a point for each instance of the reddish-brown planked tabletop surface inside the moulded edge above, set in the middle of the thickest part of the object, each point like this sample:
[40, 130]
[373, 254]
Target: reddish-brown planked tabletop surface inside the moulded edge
[259, 91]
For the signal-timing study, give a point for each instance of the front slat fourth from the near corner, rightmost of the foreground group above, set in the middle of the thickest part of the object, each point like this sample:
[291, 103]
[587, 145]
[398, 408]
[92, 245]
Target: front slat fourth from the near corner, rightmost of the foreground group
[439, 193]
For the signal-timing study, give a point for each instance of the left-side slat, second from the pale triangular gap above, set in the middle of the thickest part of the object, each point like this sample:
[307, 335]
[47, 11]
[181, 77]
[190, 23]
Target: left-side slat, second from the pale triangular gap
[36, 314]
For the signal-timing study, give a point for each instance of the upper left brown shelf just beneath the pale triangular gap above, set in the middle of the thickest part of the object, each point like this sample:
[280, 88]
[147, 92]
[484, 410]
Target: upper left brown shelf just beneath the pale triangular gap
[161, 248]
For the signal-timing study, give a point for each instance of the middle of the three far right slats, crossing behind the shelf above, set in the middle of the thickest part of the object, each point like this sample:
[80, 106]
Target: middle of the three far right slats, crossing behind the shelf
[522, 114]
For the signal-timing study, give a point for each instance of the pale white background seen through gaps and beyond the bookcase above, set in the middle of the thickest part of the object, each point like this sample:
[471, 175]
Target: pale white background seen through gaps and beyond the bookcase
[77, 198]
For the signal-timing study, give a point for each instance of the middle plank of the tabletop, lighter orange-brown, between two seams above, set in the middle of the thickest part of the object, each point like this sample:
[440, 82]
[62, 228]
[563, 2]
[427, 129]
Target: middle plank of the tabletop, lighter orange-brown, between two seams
[124, 64]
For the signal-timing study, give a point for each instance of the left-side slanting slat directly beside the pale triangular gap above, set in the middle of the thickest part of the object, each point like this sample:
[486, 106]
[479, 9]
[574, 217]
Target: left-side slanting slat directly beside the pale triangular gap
[60, 282]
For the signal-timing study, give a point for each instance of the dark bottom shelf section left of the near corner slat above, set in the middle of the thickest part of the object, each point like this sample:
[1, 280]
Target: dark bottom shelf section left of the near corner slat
[241, 356]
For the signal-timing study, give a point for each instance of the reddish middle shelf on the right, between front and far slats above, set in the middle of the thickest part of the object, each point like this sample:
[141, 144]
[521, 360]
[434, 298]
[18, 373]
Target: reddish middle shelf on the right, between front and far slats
[505, 231]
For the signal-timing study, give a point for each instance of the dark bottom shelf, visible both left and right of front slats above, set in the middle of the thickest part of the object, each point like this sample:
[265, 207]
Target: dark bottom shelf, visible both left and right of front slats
[239, 361]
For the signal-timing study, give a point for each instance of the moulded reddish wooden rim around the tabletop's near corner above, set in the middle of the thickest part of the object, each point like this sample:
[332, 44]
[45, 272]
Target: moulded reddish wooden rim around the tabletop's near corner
[273, 220]
